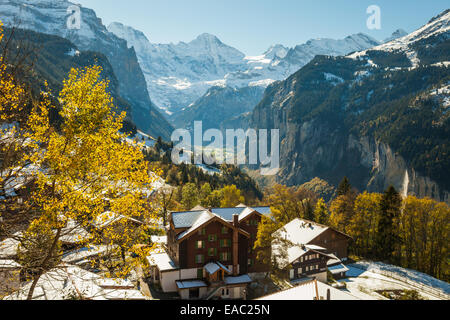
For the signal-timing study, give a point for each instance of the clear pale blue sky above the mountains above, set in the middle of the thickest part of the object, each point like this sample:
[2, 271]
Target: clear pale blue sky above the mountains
[254, 25]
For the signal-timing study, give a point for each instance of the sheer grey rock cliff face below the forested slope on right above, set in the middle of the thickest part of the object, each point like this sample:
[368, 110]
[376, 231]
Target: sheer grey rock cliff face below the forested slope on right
[316, 149]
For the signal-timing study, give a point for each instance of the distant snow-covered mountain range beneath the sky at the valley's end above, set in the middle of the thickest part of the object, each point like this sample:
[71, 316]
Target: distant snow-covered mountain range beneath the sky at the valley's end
[179, 74]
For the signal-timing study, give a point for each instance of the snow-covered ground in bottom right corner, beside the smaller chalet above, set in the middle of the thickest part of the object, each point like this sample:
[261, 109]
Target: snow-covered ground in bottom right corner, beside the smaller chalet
[364, 284]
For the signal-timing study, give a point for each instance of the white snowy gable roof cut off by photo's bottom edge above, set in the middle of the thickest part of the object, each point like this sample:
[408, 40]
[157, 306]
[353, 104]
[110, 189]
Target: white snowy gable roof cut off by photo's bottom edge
[308, 291]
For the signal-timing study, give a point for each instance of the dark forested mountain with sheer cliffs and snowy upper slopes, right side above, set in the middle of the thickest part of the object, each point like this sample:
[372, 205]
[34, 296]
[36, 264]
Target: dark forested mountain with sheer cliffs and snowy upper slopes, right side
[374, 116]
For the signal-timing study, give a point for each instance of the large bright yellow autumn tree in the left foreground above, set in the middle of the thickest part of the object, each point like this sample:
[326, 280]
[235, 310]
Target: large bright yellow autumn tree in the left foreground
[82, 170]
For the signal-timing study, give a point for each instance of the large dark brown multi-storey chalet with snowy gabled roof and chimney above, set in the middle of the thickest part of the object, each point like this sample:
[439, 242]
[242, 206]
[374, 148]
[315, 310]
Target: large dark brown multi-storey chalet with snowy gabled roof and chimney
[209, 253]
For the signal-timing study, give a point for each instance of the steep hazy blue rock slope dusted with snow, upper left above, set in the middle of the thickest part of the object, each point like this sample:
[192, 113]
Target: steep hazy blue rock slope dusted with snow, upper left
[51, 17]
